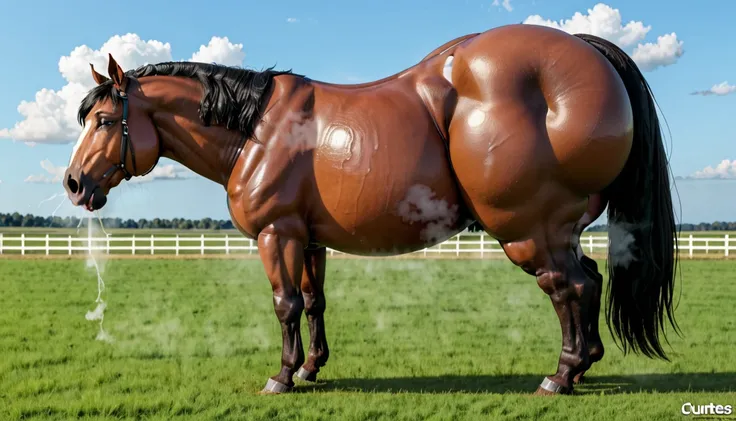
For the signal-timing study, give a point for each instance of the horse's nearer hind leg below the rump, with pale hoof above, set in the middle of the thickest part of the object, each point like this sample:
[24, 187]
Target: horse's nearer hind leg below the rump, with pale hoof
[550, 257]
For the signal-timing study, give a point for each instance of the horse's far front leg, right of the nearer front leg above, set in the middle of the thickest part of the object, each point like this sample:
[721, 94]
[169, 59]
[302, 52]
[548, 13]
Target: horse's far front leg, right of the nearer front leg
[313, 280]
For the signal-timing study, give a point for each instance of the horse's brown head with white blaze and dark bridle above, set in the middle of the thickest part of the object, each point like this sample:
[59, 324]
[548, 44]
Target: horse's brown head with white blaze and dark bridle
[119, 140]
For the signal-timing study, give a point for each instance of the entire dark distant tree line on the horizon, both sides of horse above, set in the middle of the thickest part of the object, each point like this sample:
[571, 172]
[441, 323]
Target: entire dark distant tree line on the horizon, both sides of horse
[28, 220]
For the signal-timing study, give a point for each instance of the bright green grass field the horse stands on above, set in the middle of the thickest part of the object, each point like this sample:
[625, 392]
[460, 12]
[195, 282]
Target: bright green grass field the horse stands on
[410, 340]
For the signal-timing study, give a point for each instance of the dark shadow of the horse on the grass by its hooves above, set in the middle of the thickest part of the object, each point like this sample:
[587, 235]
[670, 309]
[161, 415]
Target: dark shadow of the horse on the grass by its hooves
[527, 383]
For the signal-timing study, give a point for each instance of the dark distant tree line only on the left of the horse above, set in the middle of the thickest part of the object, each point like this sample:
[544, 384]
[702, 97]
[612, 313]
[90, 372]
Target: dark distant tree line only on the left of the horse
[28, 220]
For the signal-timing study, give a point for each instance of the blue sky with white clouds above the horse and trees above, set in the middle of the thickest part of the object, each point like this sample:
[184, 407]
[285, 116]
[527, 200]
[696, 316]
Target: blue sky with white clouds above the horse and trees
[341, 41]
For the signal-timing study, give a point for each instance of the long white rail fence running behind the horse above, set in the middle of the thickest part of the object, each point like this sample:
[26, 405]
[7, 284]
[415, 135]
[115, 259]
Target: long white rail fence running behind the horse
[465, 245]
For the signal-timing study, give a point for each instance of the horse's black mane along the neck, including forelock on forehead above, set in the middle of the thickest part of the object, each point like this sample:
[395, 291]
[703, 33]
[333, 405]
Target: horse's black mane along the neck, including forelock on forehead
[232, 95]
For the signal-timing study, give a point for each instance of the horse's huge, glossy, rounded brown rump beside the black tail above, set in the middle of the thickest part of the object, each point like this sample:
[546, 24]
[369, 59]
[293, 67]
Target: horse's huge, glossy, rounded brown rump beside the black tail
[542, 121]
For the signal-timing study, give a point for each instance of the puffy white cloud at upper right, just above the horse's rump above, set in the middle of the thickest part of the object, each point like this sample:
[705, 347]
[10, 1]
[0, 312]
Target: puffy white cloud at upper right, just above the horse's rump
[606, 22]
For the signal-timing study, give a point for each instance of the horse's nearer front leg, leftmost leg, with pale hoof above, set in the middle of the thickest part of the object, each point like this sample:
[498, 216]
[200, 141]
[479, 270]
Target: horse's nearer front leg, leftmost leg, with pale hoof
[282, 252]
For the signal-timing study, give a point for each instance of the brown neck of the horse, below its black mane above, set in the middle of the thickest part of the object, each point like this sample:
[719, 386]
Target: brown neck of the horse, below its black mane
[209, 151]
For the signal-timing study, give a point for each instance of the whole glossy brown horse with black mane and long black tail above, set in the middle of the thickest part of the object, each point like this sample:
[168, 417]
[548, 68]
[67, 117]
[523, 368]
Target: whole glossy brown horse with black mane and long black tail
[532, 136]
